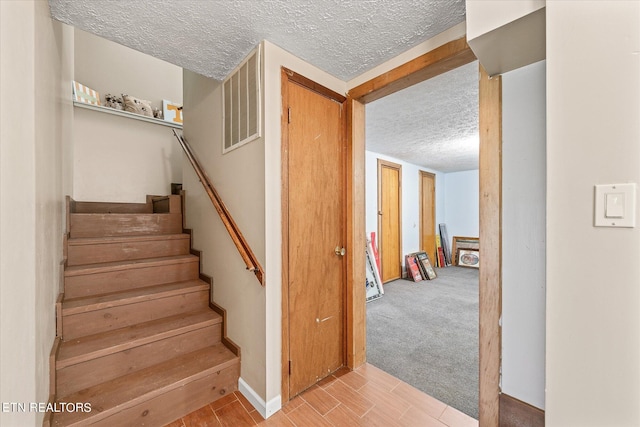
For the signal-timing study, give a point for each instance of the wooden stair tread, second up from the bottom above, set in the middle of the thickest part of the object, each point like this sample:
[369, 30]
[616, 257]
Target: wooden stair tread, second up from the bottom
[92, 346]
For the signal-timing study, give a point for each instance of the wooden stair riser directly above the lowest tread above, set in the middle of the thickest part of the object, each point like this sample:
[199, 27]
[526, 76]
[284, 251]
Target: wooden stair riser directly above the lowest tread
[96, 371]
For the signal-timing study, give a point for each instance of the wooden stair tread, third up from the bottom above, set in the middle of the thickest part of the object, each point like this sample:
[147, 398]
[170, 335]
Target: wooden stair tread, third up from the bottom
[114, 299]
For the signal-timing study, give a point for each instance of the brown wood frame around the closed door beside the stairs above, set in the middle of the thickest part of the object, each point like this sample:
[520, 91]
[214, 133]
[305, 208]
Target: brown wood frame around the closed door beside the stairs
[290, 77]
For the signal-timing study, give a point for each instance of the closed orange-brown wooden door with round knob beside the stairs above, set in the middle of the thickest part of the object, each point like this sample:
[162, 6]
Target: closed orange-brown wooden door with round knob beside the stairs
[315, 163]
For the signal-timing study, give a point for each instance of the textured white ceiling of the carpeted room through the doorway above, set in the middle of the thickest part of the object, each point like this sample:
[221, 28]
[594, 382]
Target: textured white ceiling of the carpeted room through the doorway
[432, 124]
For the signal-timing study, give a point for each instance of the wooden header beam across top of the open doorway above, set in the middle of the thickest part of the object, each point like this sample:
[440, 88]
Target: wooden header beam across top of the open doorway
[438, 61]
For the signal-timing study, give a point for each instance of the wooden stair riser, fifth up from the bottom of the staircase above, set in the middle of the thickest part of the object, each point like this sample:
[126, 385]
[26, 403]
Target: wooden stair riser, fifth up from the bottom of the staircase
[109, 252]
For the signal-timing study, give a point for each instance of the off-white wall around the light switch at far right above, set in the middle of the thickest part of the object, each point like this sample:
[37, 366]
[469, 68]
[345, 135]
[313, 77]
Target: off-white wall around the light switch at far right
[593, 274]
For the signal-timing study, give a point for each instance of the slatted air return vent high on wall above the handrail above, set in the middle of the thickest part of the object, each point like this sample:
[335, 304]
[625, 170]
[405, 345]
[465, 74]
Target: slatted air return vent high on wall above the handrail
[241, 109]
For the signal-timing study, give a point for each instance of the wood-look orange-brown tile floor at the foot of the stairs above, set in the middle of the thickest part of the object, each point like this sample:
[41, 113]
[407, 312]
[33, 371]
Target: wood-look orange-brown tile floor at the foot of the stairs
[367, 397]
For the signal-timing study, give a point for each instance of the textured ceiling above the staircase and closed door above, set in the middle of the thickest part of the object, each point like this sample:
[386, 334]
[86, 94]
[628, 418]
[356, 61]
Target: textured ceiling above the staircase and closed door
[343, 37]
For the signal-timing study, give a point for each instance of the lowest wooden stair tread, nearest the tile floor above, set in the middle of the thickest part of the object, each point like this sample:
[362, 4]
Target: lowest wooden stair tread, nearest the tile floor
[127, 391]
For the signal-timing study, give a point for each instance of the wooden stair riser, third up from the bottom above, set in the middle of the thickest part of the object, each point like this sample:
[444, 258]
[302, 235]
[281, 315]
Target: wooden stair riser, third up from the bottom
[97, 321]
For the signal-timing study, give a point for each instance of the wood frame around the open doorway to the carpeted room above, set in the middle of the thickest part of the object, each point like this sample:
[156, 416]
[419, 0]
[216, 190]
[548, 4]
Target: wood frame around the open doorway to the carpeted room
[440, 60]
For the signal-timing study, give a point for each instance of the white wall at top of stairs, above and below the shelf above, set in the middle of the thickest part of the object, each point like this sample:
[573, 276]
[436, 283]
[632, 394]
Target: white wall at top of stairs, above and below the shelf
[117, 158]
